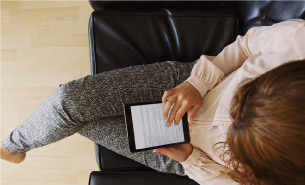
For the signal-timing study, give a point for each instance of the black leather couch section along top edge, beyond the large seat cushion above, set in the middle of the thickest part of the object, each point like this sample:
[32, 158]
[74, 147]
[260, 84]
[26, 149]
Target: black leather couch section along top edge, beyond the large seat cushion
[250, 13]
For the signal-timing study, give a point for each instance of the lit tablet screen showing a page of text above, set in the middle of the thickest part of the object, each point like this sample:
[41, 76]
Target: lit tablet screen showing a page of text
[150, 128]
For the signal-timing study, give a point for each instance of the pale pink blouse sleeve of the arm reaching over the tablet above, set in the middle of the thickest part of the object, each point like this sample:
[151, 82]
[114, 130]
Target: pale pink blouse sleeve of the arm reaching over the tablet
[278, 38]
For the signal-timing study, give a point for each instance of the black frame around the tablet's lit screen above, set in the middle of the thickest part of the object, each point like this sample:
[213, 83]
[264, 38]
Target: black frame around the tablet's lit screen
[130, 130]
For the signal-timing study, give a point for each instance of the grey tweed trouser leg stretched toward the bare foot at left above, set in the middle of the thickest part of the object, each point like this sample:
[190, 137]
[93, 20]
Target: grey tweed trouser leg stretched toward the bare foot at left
[74, 104]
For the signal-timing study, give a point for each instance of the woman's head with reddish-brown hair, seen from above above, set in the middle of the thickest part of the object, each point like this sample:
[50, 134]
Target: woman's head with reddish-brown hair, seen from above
[268, 130]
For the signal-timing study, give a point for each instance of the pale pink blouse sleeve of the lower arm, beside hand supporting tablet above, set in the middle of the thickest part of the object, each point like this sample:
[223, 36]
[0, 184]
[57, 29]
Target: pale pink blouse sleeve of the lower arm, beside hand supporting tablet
[199, 167]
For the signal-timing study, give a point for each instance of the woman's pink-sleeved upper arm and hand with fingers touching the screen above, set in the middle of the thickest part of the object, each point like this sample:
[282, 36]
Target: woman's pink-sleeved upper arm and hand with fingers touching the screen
[206, 74]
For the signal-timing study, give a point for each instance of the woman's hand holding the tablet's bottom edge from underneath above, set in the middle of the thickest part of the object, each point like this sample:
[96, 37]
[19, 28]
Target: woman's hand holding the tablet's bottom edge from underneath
[178, 152]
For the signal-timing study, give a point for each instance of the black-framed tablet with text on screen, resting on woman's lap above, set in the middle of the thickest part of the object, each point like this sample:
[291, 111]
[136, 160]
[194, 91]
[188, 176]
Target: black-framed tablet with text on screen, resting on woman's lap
[147, 129]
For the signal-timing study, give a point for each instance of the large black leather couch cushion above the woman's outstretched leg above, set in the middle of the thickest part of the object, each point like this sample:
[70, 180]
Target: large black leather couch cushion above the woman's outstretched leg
[122, 38]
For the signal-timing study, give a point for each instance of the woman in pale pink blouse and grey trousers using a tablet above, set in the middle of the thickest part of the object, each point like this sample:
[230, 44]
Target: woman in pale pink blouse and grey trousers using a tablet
[256, 139]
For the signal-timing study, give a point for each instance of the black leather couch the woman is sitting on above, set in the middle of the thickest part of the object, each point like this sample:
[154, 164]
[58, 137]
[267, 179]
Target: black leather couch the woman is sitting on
[124, 33]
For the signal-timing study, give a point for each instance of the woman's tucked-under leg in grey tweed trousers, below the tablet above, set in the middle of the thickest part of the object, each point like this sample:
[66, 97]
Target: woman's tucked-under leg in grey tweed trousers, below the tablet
[99, 132]
